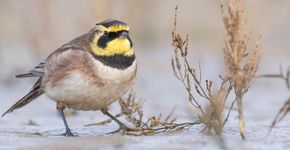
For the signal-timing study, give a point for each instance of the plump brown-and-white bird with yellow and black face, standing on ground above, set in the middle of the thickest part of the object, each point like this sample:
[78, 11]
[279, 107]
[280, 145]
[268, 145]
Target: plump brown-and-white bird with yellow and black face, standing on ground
[89, 73]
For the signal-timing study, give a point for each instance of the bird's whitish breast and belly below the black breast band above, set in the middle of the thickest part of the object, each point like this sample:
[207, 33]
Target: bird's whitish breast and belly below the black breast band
[79, 93]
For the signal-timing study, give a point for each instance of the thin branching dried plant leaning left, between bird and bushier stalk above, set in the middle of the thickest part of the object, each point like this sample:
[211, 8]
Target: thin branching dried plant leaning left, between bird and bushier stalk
[210, 116]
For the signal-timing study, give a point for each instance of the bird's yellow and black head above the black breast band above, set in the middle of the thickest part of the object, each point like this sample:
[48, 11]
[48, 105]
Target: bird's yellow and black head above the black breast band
[111, 37]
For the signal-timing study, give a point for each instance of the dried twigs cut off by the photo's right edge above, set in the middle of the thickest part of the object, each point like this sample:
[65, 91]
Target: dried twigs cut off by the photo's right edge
[285, 109]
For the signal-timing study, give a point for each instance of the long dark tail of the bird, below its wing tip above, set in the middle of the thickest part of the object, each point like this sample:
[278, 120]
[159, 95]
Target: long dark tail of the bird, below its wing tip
[35, 92]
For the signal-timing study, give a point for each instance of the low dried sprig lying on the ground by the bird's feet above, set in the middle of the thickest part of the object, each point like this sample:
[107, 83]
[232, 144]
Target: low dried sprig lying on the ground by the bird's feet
[132, 109]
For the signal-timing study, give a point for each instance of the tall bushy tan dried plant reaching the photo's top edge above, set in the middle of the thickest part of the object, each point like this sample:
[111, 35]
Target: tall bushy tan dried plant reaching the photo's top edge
[241, 64]
